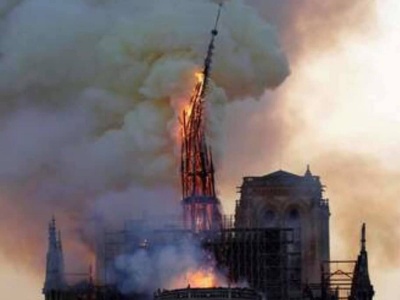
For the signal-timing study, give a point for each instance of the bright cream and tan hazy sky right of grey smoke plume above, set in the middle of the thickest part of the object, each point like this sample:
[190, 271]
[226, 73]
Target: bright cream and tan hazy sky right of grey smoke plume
[339, 112]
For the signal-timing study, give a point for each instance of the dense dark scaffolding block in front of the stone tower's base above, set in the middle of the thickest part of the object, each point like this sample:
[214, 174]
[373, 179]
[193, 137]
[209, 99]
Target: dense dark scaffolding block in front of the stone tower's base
[259, 257]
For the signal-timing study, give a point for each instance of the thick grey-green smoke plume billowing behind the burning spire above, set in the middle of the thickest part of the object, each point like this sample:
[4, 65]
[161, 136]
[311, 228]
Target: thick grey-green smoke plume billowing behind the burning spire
[91, 91]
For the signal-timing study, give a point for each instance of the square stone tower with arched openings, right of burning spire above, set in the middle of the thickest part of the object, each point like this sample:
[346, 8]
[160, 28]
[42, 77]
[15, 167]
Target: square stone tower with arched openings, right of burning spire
[285, 200]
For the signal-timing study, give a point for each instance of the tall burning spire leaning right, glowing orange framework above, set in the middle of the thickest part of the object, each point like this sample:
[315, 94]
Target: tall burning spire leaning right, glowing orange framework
[200, 205]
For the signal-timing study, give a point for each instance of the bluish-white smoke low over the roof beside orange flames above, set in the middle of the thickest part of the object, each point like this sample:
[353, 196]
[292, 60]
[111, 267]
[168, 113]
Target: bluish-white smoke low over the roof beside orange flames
[169, 267]
